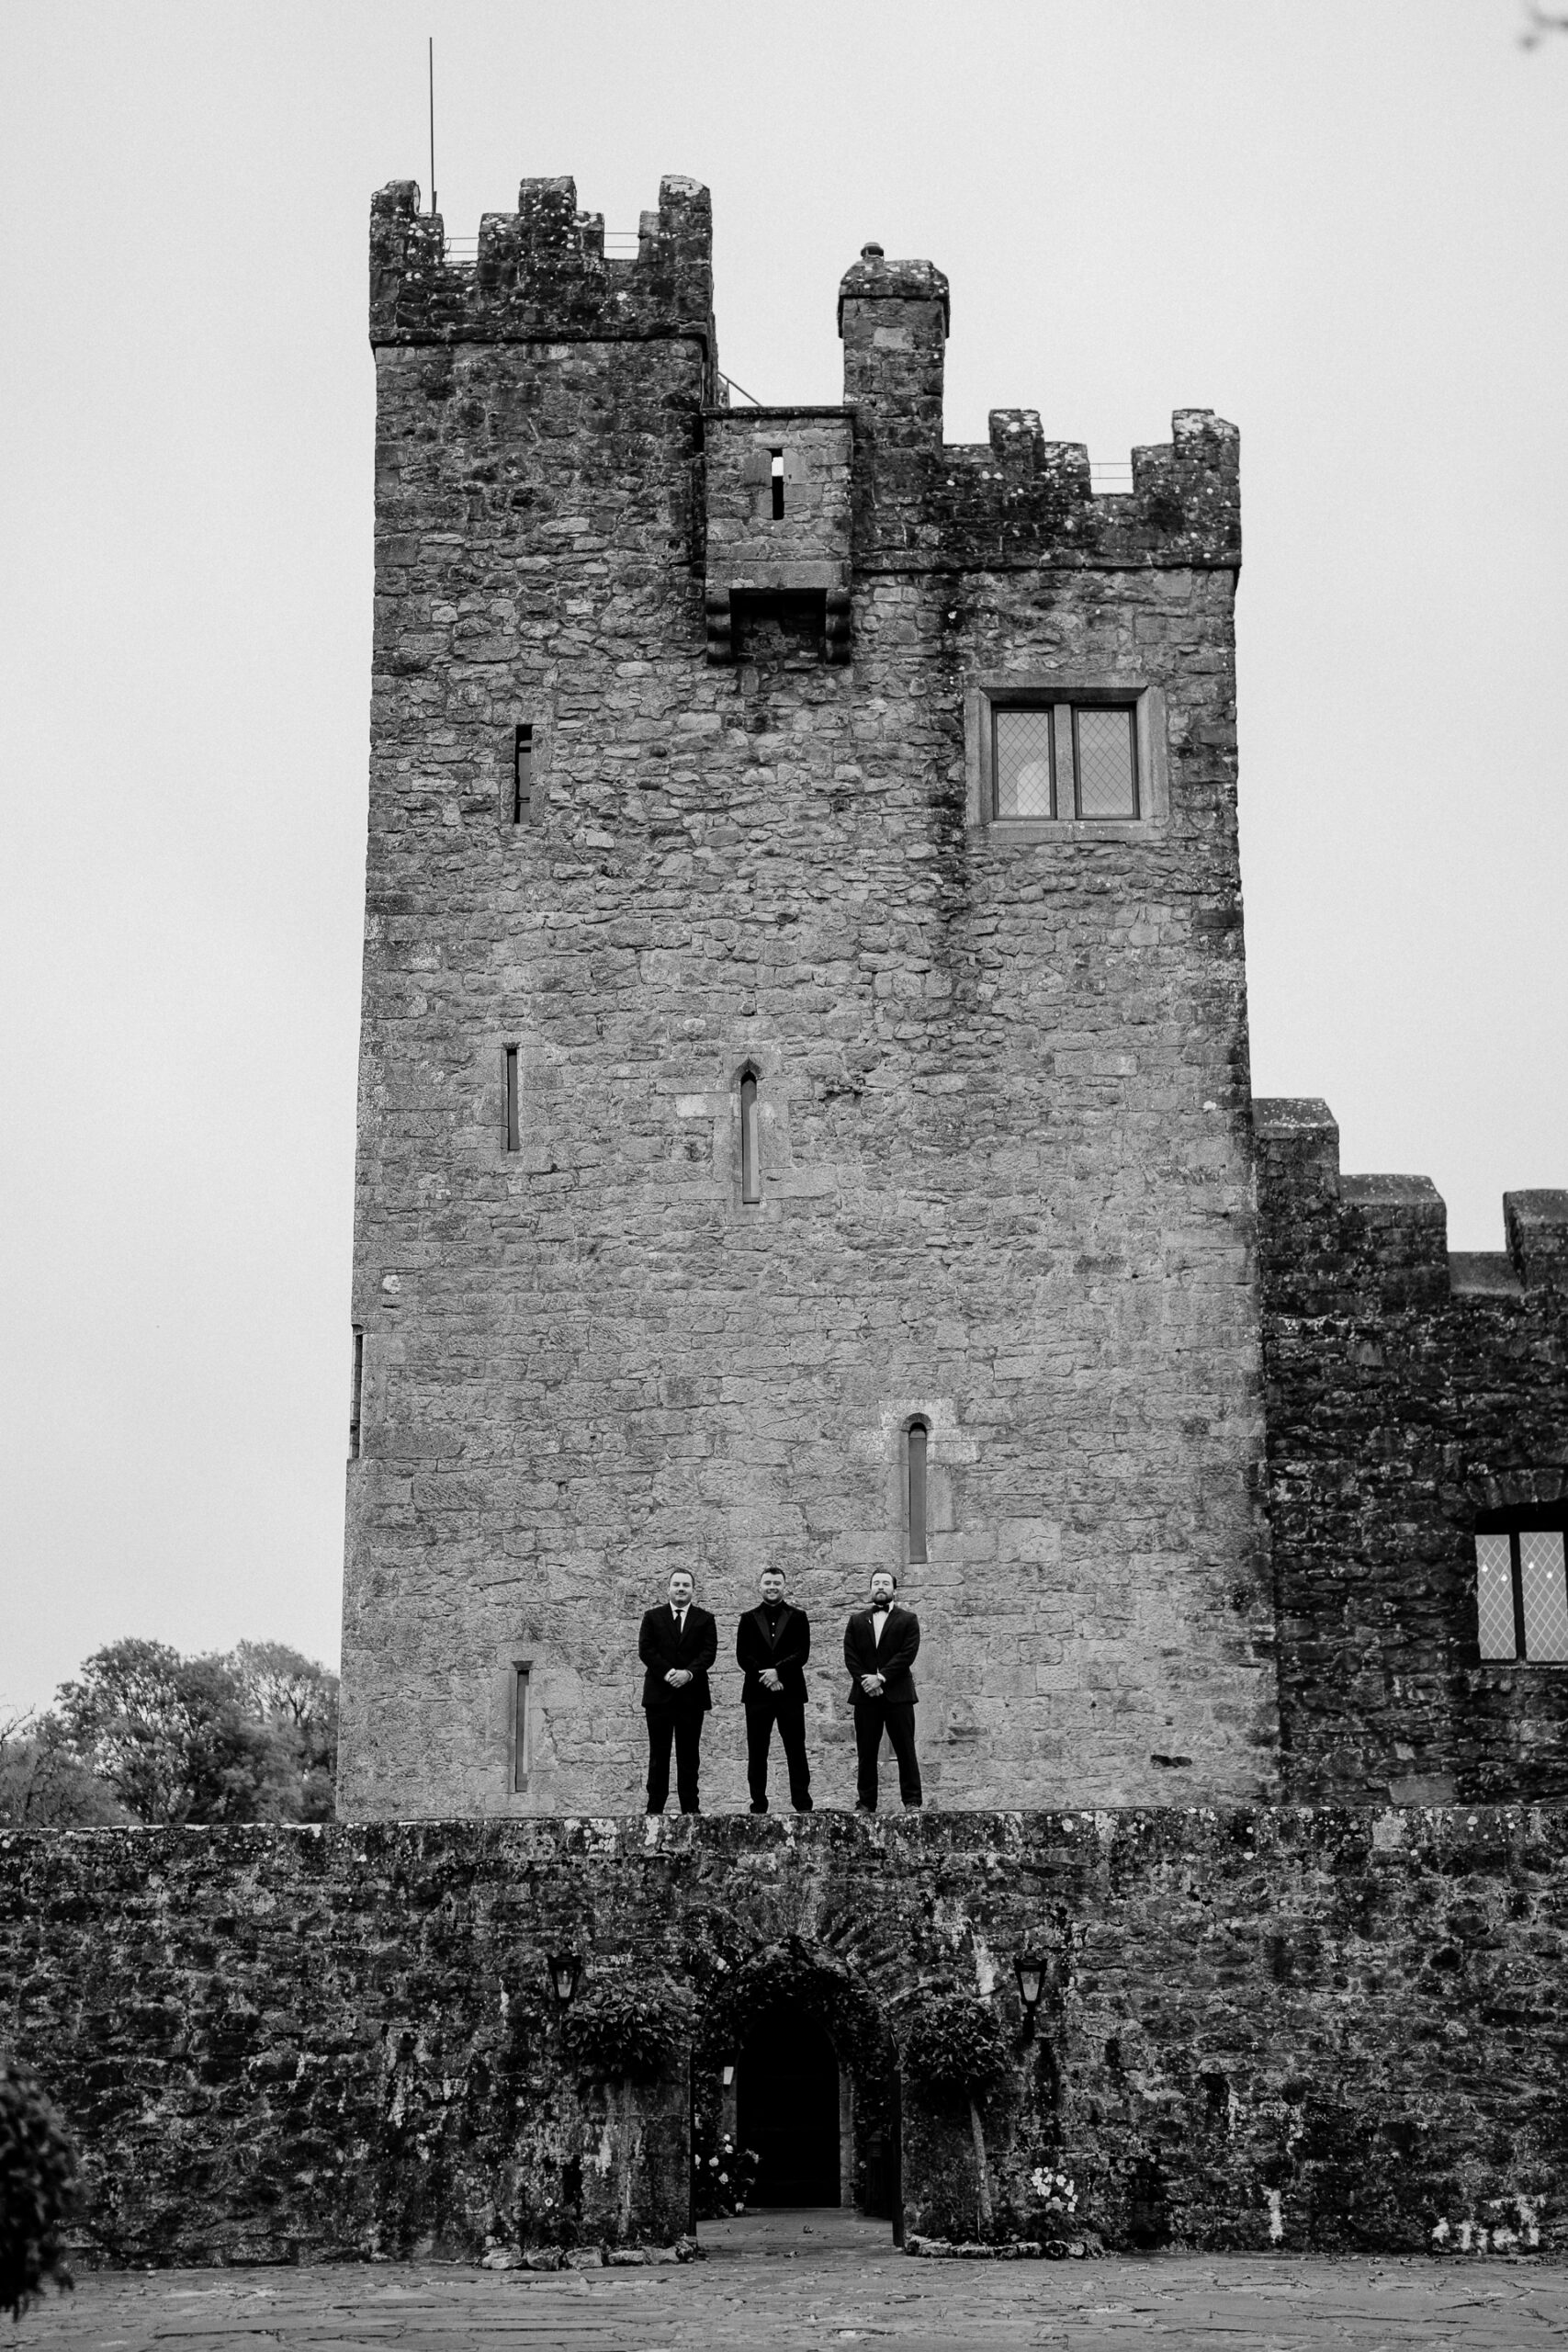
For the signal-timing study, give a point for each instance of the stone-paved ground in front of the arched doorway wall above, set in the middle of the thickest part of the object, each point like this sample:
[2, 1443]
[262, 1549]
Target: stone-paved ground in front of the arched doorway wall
[822, 2280]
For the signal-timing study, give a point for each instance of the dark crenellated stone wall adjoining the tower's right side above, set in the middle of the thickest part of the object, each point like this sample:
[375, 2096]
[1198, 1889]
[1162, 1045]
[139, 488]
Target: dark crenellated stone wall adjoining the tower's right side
[1409, 1391]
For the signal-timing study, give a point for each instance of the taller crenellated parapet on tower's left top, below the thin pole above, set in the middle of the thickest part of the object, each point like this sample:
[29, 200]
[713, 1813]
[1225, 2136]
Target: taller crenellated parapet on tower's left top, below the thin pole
[542, 274]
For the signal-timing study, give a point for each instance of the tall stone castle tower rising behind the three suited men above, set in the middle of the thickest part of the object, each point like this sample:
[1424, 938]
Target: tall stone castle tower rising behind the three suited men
[805, 1095]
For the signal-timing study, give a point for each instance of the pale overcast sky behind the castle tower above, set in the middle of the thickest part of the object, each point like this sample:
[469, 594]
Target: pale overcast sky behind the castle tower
[1339, 222]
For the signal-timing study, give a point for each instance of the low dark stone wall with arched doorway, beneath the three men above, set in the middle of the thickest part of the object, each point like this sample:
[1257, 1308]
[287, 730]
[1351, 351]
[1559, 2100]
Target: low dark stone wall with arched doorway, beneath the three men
[1266, 2026]
